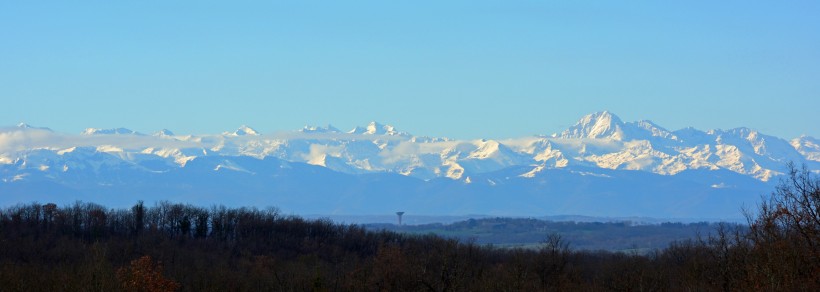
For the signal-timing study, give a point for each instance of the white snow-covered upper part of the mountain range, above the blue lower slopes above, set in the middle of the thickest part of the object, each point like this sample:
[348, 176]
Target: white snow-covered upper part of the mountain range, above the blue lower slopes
[599, 140]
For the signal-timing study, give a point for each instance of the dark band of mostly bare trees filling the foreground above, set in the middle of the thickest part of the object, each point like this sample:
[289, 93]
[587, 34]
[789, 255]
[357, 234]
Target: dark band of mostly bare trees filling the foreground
[180, 247]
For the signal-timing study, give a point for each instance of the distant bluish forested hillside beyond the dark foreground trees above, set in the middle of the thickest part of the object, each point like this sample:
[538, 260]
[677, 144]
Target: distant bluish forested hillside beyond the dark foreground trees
[529, 232]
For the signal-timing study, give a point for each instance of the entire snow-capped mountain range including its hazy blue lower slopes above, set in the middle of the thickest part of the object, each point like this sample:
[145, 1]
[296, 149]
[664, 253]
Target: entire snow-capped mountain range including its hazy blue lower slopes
[588, 161]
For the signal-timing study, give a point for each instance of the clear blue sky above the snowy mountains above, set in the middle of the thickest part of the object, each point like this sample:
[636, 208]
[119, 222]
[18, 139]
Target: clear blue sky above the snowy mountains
[462, 69]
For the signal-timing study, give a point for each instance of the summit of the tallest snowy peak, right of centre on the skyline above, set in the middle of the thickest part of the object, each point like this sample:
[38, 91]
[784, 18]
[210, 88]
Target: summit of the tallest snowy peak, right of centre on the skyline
[598, 125]
